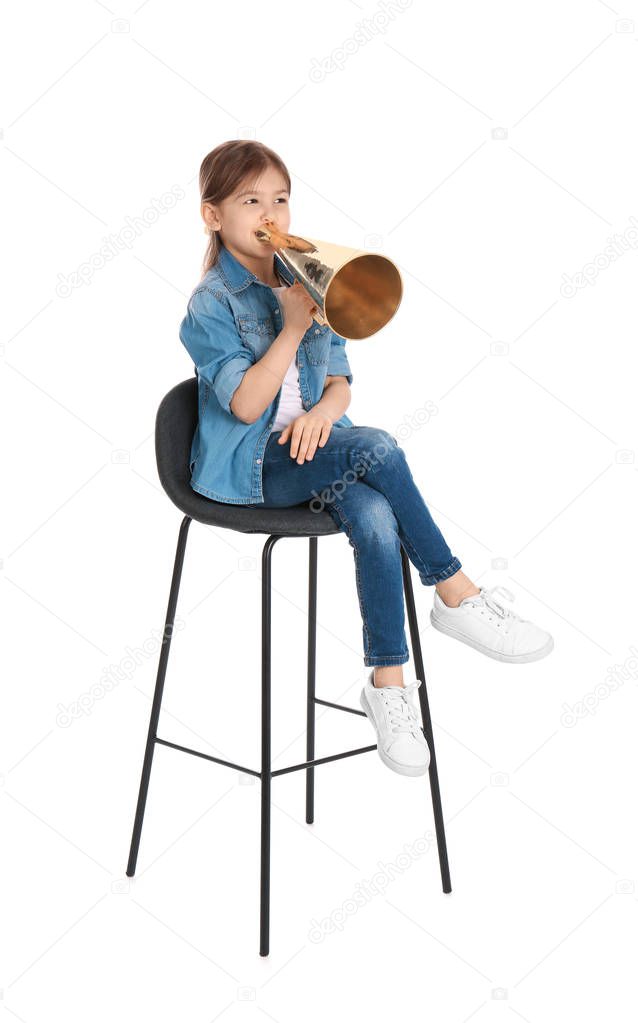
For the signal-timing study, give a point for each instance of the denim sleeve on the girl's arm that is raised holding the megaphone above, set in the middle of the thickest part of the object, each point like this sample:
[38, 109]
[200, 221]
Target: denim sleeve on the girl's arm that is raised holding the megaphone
[211, 337]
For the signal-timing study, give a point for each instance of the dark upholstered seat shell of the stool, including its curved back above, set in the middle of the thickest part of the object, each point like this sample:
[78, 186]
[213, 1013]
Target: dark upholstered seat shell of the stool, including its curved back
[175, 426]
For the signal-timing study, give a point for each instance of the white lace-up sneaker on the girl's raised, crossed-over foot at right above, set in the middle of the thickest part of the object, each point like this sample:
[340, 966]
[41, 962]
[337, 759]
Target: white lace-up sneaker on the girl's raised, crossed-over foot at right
[485, 625]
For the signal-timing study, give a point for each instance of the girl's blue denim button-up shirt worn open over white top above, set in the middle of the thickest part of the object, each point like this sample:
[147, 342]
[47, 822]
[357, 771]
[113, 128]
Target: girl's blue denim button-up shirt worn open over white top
[232, 321]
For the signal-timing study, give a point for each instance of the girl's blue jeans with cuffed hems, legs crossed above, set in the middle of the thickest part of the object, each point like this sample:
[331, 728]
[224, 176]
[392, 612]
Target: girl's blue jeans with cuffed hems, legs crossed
[361, 477]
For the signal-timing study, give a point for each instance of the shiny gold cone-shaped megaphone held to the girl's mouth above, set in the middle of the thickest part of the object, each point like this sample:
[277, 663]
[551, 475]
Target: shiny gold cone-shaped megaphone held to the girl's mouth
[356, 293]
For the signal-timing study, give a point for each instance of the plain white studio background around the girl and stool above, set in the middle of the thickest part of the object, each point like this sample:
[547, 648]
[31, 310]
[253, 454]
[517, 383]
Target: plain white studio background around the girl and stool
[490, 151]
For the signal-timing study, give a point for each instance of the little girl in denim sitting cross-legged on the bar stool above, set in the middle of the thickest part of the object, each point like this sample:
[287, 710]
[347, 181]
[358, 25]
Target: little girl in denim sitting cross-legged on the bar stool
[272, 432]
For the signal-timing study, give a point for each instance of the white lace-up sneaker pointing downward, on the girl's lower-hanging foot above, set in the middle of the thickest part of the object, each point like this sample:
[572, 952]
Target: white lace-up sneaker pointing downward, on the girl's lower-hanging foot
[402, 744]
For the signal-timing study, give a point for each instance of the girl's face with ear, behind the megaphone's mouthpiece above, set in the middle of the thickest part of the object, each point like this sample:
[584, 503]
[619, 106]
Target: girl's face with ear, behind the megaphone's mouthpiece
[241, 215]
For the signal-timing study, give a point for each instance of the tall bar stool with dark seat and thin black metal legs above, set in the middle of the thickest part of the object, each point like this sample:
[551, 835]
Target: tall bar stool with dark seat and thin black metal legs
[175, 425]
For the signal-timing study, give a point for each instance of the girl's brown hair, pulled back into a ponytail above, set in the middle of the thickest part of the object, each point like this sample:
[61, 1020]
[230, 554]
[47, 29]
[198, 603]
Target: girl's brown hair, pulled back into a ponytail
[227, 167]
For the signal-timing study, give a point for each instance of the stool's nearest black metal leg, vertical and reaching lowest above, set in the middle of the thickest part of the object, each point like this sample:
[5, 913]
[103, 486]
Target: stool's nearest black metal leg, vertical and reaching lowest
[266, 775]
